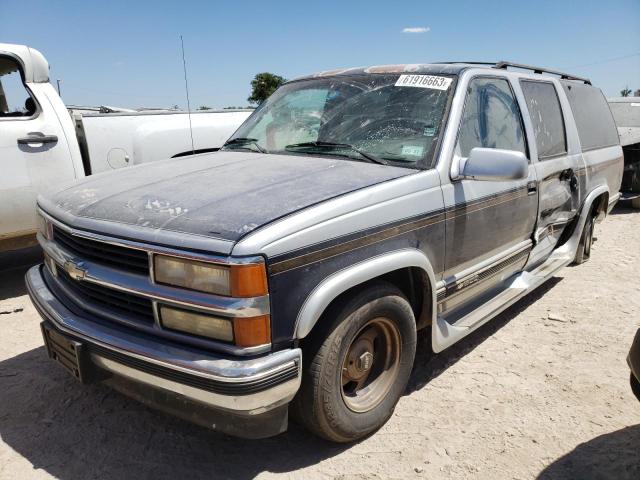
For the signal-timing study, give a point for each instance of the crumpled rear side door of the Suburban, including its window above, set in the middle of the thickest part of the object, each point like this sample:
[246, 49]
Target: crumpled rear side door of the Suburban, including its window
[557, 168]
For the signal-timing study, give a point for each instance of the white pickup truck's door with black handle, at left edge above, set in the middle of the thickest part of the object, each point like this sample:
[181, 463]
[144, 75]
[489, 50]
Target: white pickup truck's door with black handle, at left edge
[34, 153]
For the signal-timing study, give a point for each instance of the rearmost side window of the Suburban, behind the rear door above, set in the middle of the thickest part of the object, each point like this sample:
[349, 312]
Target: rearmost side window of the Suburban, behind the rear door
[596, 128]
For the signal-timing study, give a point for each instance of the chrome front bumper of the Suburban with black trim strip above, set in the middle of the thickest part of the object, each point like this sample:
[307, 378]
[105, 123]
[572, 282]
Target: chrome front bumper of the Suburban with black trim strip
[176, 378]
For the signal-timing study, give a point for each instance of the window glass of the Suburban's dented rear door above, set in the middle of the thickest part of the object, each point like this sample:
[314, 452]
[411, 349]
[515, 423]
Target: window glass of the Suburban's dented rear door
[546, 116]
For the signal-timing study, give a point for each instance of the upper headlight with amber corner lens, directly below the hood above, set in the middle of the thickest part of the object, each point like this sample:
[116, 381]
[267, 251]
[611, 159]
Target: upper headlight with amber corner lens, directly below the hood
[228, 280]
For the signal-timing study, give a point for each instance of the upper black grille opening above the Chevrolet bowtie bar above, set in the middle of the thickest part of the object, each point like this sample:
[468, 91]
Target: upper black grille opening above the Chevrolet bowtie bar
[123, 258]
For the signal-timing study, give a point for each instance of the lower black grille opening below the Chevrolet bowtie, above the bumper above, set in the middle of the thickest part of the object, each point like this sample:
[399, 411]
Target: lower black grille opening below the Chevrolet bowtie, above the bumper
[130, 306]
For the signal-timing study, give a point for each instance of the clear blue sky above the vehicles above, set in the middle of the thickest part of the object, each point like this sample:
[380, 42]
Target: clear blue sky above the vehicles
[127, 53]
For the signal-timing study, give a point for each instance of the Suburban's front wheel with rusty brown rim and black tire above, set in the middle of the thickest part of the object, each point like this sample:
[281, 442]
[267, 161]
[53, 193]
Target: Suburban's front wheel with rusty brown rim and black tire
[356, 368]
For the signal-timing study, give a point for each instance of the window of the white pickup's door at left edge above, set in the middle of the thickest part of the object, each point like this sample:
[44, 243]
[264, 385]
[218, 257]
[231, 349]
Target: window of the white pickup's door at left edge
[15, 100]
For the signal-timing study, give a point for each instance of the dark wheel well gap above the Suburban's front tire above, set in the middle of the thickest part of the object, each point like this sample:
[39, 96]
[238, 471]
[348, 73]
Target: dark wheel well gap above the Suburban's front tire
[413, 282]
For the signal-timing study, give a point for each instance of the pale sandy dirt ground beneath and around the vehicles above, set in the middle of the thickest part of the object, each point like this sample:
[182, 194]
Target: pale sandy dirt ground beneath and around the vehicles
[540, 392]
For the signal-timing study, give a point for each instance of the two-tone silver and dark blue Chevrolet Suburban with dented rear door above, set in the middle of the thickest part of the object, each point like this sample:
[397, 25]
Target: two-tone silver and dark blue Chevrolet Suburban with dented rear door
[290, 271]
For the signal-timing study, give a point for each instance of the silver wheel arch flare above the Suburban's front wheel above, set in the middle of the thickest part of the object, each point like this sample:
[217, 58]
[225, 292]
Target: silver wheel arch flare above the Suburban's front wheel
[341, 281]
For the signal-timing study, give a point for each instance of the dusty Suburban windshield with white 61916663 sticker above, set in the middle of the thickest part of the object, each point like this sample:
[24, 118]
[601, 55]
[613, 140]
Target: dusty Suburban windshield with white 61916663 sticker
[392, 119]
